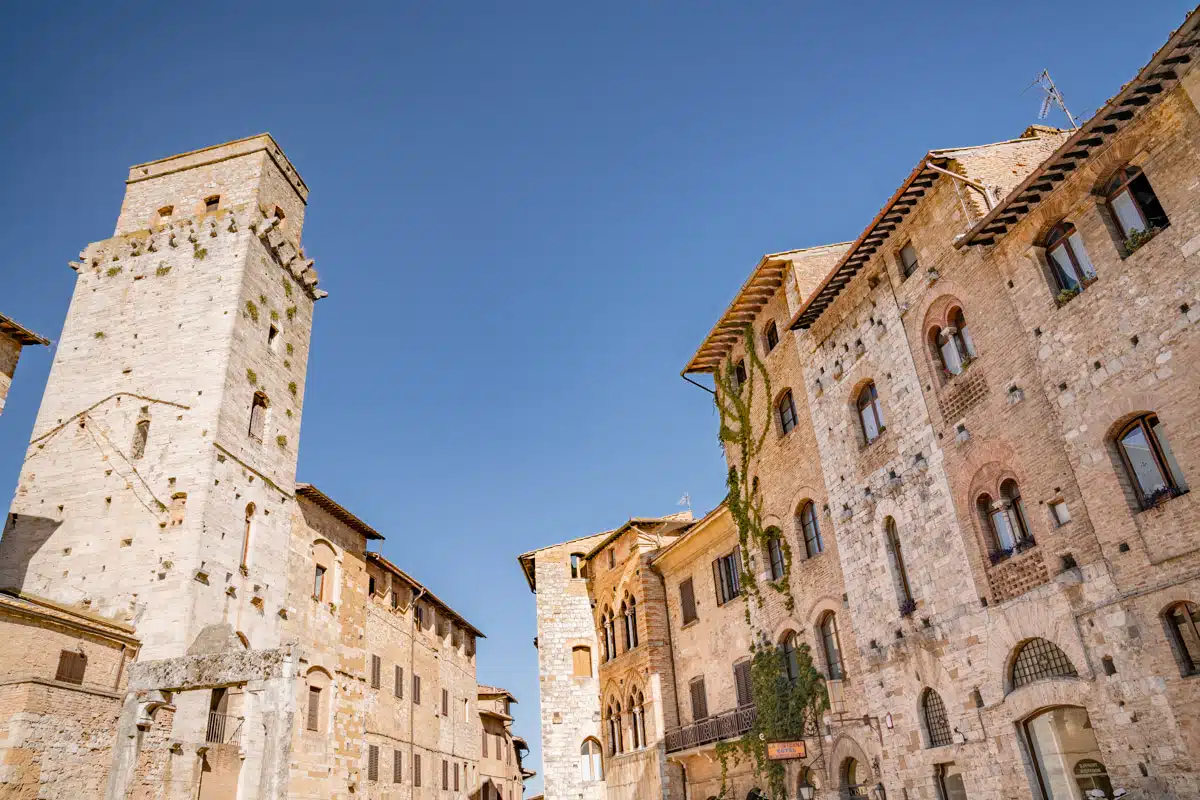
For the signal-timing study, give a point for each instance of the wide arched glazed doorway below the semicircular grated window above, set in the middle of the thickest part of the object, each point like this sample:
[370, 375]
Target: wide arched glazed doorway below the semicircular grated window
[1066, 755]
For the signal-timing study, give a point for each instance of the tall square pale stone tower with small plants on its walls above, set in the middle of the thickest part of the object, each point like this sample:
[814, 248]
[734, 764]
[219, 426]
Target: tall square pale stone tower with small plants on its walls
[158, 485]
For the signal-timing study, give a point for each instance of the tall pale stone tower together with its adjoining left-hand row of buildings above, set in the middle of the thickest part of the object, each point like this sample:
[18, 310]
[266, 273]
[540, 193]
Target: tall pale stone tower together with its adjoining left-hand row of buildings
[196, 623]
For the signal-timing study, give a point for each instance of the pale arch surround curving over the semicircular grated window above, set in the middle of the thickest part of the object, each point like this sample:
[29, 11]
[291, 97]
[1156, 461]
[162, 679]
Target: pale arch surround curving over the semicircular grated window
[1027, 621]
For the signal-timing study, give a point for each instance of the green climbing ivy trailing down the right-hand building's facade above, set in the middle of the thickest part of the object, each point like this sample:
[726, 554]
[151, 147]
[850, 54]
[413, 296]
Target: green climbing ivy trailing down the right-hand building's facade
[788, 711]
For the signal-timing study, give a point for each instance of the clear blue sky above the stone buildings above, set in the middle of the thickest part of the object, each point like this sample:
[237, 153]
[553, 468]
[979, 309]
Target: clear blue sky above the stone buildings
[527, 216]
